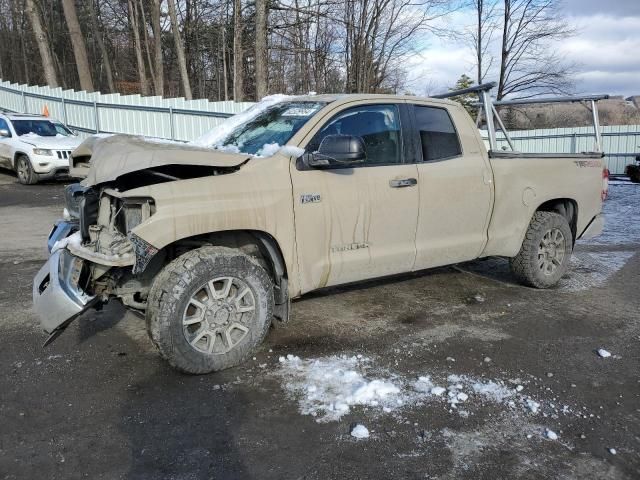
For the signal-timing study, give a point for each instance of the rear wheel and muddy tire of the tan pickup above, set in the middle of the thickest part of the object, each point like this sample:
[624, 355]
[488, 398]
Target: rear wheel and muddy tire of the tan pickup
[546, 250]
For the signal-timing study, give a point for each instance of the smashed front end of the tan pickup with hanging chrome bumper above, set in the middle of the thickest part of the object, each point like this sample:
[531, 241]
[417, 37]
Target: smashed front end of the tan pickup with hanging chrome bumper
[94, 256]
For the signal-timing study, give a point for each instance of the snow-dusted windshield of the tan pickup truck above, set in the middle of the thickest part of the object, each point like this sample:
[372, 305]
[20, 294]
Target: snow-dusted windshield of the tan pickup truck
[273, 127]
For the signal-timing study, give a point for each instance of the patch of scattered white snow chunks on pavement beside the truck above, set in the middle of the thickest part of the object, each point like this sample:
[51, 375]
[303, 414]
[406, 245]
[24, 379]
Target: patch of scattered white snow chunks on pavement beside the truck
[328, 388]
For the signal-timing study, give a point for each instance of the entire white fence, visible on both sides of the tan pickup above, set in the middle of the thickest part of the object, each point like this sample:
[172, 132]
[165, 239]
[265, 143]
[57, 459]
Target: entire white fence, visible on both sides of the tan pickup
[180, 119]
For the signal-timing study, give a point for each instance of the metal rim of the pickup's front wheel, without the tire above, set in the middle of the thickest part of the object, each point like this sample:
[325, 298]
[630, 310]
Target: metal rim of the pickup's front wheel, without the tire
[217, 315]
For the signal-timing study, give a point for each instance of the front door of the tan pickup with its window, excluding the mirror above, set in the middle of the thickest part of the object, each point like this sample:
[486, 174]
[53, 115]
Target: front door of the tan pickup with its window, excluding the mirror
[357, 223]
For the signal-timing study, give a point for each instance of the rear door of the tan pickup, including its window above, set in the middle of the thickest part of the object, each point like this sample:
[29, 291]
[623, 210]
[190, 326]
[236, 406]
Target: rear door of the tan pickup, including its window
[455, 180]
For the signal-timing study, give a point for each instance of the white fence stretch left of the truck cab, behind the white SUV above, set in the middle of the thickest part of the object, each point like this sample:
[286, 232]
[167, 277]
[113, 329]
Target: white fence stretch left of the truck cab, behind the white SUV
[174, 118]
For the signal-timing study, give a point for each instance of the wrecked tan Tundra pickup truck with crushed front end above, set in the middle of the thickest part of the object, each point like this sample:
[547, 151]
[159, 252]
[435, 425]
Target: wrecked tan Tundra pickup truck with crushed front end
[213, 241]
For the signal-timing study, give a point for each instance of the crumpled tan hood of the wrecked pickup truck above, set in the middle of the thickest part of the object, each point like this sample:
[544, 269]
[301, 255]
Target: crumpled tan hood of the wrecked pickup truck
[103, 159]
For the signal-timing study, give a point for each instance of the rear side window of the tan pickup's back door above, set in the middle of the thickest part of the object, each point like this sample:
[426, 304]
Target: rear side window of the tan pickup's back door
[438, 136]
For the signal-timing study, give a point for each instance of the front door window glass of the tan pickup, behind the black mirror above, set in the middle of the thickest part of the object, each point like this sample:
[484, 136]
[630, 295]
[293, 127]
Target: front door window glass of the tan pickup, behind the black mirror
[377, 125]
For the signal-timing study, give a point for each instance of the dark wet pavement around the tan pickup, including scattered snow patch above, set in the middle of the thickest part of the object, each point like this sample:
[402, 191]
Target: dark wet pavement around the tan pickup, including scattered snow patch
[99, 403]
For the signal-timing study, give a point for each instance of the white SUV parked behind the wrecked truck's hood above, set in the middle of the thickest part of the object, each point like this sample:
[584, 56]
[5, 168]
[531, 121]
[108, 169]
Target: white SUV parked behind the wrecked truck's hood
[36, 147]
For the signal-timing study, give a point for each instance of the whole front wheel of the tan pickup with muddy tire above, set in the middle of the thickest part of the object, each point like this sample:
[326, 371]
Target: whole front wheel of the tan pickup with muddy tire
[209, 309]
